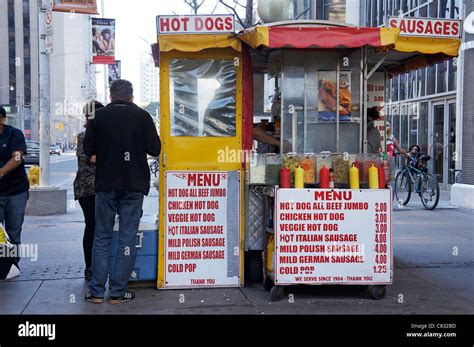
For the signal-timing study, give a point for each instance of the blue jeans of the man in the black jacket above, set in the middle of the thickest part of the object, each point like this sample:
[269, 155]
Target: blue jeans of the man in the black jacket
[128, 205]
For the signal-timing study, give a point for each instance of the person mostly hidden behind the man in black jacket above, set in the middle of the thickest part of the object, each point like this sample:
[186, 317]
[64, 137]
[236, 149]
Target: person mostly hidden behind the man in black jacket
[84, 190]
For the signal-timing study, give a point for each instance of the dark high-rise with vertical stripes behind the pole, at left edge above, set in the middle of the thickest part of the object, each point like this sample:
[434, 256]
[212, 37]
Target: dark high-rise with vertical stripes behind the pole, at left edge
[19, 57]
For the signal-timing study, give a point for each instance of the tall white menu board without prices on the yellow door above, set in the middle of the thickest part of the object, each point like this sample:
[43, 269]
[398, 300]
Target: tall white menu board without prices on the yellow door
[202, 229]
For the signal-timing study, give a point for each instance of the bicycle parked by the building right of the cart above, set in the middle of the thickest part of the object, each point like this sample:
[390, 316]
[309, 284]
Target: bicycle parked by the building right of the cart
[415, 178]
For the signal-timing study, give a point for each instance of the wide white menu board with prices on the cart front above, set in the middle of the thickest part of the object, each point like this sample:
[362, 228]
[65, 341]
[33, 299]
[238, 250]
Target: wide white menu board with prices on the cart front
[333, 237]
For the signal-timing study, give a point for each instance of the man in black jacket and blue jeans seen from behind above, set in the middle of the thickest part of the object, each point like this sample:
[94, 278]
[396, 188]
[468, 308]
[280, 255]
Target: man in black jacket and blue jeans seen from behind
[121, 136]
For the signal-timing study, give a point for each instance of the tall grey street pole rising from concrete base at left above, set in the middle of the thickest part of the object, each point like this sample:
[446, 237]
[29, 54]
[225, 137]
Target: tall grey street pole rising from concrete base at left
[44, 91]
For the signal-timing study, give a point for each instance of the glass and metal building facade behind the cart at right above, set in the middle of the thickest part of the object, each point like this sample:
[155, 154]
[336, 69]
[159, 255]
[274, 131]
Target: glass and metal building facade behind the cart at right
[422, 105]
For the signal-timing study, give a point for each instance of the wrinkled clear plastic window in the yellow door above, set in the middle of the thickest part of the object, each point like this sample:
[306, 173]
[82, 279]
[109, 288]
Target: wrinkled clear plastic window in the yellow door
[202, 98]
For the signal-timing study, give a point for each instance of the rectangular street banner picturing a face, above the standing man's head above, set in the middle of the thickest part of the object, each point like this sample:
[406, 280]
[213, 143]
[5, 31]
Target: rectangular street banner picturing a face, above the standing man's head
[103, 41]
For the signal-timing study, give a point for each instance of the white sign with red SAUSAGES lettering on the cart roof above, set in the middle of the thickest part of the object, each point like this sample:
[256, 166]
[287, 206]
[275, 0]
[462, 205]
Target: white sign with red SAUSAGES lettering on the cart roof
[426, 27]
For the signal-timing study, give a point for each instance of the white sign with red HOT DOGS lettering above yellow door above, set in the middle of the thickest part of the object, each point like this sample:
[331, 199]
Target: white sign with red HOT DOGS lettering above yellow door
[195, 24]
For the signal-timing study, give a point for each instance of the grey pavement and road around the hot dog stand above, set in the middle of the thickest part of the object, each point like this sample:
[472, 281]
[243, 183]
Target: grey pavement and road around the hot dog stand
[433, 273]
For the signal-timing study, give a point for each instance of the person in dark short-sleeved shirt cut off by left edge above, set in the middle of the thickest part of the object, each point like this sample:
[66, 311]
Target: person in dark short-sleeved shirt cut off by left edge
[14, 184]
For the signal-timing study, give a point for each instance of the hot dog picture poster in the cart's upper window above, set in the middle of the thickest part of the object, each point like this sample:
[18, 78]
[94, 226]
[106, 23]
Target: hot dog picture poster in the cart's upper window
[327, 96]
